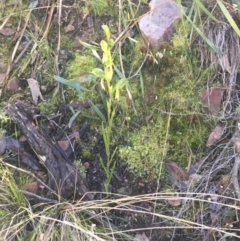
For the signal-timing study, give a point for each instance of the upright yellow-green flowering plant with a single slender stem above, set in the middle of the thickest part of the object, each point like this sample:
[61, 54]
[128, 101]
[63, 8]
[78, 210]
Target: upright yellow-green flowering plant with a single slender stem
[112, 94]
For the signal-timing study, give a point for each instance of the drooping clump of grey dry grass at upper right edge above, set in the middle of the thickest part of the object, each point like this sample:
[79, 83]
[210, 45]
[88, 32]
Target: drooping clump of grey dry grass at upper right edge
[227, 41]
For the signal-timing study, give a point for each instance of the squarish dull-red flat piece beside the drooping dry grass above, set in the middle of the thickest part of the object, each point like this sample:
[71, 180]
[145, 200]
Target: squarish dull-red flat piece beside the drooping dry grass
[213, 98]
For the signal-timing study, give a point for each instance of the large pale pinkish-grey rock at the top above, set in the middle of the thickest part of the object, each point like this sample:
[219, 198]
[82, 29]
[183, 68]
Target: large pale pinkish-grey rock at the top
[157, 26]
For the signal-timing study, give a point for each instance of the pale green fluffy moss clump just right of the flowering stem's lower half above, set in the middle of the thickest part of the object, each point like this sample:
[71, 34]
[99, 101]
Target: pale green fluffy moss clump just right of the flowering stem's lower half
[147, 148]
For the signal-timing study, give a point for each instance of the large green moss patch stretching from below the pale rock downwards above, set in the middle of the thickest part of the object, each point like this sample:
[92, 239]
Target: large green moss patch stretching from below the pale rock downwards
[171, 108]
